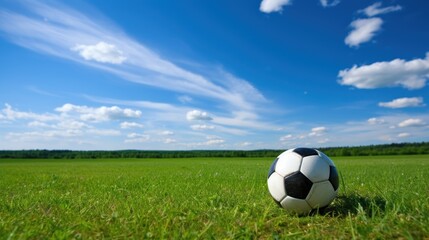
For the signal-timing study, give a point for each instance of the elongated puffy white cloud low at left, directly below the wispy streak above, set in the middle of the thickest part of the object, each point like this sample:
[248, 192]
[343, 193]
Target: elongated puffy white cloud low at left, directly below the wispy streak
[99, 114]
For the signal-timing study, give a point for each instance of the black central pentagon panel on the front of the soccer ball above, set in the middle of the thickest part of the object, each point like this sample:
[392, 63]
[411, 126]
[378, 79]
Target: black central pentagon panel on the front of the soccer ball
[297, 185]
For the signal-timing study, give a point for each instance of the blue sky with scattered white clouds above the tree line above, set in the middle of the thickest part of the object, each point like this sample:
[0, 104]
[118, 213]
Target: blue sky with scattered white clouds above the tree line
[212, 74]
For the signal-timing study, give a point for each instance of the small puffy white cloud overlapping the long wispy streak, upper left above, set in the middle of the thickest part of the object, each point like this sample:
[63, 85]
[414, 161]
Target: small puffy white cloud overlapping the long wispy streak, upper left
[100, 52]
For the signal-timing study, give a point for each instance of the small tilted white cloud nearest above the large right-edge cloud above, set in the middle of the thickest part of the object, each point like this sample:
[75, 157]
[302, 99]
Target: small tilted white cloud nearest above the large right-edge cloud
[363, 30]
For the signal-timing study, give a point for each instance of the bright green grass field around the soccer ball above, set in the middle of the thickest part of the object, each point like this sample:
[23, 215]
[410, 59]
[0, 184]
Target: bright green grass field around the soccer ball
[379, 197]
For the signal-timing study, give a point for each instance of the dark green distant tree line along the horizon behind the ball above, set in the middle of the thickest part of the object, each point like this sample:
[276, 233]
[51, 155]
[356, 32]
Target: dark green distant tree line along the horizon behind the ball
[371, 150]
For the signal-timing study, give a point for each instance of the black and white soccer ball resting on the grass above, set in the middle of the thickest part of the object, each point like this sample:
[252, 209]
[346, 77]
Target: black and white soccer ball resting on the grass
[303, 179]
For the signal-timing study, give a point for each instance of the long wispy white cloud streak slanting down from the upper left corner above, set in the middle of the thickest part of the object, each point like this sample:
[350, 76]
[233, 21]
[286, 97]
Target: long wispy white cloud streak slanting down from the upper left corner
[100, 41]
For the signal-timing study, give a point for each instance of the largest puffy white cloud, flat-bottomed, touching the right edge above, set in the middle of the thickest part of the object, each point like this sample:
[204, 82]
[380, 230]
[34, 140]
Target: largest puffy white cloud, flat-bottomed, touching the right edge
[411, 74]
